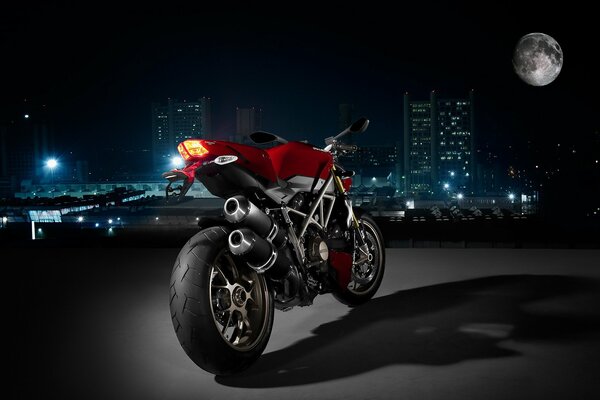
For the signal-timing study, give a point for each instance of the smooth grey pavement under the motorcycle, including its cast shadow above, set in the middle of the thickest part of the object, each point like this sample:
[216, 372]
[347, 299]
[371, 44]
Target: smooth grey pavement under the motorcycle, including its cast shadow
[446, 324]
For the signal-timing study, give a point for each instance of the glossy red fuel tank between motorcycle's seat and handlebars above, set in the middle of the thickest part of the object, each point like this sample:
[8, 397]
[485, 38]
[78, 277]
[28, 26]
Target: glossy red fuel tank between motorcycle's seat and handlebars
[296, 158]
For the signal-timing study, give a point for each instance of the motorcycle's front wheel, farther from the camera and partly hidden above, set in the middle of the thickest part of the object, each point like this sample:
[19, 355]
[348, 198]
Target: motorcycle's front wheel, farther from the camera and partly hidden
[365, 277]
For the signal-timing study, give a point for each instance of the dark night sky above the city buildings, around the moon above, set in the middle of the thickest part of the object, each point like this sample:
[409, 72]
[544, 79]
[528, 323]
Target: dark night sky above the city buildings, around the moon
[99, 68]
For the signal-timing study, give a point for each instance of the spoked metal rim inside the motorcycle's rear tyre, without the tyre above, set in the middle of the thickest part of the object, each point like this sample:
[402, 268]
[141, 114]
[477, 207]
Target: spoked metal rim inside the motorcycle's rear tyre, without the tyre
[240, 303]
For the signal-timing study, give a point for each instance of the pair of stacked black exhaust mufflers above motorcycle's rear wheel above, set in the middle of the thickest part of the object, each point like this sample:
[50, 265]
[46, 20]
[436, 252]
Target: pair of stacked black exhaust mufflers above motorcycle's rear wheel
[258, 238]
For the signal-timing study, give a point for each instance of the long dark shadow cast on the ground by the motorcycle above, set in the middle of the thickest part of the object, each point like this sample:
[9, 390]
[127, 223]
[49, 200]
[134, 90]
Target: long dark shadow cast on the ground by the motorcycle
[436, 325]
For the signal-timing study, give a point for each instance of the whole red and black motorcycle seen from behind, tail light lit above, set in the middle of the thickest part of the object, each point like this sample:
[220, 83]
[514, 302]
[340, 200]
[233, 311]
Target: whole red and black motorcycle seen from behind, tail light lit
[288, 232]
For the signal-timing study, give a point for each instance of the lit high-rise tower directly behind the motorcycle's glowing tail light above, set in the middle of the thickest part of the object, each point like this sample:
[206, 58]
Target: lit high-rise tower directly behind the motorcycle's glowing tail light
[175, 122]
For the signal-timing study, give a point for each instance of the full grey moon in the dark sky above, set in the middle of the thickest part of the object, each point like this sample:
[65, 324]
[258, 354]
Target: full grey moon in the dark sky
[537, 59]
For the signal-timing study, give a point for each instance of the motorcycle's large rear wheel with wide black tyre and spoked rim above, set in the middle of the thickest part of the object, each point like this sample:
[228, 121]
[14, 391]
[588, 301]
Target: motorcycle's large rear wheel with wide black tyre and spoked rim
[221, 309]
